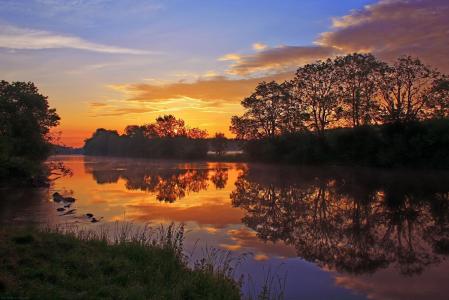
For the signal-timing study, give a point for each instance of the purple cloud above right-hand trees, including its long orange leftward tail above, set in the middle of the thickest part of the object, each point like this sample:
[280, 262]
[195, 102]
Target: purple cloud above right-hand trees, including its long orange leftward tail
[388, 28]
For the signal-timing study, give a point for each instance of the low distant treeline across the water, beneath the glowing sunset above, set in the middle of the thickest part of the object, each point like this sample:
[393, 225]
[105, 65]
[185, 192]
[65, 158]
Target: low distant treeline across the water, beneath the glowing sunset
[168, 137]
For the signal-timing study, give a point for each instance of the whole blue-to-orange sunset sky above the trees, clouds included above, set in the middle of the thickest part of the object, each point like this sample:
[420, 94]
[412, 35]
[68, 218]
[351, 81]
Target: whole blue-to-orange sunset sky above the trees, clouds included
[108, 64]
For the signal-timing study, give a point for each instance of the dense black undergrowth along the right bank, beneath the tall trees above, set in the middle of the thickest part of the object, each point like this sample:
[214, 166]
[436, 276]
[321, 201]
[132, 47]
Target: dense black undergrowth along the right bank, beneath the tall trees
[415, 144]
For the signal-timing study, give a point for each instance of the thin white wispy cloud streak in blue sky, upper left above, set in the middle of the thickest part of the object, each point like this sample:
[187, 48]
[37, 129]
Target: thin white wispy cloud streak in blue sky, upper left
[12, 37]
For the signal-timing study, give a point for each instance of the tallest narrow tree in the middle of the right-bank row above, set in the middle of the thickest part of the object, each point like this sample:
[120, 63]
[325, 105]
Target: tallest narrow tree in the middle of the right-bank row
[359, 80]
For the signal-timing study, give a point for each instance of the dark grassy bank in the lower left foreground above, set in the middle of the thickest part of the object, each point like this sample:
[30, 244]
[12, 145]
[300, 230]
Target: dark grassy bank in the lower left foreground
[44, 264]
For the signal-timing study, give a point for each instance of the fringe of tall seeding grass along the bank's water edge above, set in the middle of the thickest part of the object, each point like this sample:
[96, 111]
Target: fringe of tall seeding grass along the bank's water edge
[221, 264]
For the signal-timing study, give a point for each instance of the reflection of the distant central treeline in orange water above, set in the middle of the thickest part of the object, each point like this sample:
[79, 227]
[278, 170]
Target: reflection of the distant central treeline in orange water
[167, 183]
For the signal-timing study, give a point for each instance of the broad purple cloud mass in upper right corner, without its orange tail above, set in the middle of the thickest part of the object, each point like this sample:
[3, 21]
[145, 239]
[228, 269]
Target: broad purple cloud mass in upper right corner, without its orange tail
[394, 28]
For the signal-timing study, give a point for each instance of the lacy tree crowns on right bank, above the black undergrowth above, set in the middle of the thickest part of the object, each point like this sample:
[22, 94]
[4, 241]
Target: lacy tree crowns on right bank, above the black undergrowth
[348, 91]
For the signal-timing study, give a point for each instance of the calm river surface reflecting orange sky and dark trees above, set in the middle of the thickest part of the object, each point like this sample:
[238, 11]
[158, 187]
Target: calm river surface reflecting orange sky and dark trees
[337, 233]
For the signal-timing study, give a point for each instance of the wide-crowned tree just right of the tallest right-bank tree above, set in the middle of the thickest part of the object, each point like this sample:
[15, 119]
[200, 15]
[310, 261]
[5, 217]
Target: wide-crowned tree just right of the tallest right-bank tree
[405, 90]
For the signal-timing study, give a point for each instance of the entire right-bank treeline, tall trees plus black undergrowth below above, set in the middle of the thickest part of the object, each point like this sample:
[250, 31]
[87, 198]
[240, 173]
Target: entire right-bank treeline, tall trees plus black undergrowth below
[351, 109]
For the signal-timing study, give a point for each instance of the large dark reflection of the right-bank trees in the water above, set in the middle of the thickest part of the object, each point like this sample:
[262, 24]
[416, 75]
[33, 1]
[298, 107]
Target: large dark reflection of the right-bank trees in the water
[355, 221]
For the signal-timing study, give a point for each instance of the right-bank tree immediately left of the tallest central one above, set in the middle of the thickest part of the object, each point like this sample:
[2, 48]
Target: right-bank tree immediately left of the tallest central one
[317, 86]
